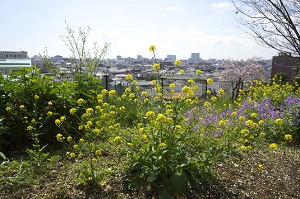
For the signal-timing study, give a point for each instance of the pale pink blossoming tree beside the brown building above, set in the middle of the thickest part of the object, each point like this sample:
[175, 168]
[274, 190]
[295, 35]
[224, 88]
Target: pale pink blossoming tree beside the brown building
[236, 73]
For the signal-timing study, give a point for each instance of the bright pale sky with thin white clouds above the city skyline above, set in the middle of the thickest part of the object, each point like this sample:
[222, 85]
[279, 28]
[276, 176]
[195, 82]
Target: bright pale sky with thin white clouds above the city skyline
[176, 27]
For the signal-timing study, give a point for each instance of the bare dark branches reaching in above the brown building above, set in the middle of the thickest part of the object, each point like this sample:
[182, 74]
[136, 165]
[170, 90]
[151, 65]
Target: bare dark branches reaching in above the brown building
[272, 23]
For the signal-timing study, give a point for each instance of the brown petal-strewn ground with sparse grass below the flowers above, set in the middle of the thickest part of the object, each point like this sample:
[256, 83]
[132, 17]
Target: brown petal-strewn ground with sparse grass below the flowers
[235, 177]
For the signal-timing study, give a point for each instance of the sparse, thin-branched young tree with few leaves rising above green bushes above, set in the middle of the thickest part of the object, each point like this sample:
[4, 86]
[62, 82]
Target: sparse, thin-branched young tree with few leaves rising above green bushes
[84, 61]
